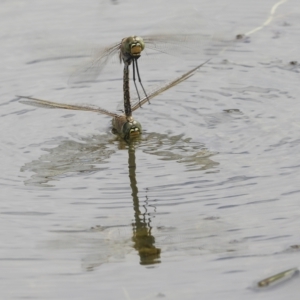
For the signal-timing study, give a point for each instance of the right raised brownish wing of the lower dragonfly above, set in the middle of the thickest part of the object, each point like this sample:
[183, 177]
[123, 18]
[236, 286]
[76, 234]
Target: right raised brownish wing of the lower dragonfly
[166, 86]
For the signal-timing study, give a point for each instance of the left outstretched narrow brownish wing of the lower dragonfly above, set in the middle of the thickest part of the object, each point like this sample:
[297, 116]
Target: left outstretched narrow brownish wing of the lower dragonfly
[49, 104]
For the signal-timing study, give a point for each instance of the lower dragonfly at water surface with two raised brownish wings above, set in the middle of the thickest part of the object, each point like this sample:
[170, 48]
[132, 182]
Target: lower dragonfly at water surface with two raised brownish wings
[122, 124]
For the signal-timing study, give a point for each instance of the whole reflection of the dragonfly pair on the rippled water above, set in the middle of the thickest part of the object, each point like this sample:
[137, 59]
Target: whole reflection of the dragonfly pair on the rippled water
[88, 155]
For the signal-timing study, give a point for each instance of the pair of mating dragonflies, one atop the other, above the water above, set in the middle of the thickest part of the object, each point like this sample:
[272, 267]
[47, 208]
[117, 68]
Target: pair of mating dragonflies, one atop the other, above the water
[129, 50]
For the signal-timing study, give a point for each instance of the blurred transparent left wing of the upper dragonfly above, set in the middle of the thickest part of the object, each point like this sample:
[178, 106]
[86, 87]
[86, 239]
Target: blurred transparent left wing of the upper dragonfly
[90, 71]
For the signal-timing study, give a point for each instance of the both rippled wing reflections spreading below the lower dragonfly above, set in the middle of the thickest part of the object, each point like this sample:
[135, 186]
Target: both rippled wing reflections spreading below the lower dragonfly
[88, 155]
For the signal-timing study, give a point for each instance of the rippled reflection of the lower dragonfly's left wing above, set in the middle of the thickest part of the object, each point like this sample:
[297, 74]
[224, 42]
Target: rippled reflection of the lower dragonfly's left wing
[70, 158]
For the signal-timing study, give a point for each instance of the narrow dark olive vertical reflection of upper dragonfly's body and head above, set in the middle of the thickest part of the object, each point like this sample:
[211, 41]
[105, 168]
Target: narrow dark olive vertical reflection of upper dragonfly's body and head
[142, 237]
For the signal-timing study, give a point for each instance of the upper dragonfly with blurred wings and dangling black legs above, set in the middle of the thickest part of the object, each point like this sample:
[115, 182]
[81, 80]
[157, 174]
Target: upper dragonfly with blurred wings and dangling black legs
[129, 50]
